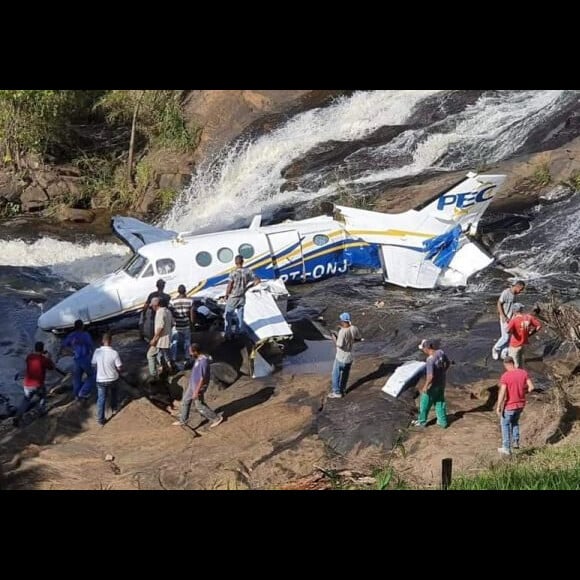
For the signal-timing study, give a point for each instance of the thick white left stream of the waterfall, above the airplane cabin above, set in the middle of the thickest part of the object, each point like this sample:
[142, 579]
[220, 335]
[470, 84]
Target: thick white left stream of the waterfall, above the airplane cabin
[247, 178]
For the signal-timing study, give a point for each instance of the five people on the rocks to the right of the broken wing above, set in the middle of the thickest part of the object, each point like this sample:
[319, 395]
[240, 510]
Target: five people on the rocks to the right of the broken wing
[516, 328]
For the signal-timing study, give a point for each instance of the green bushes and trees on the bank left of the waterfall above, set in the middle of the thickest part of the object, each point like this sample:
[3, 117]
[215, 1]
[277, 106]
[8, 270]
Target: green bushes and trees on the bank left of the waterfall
[105, 134]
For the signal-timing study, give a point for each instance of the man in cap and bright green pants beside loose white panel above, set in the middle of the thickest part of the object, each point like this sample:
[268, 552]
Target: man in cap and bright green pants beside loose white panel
[433, 391]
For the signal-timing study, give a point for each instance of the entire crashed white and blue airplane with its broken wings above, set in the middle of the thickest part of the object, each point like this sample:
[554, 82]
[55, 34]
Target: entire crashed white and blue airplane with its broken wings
[421, 248]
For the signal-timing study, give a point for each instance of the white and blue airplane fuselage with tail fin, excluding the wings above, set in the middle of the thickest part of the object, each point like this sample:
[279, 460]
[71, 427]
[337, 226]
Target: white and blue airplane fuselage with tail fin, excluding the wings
[295, 251]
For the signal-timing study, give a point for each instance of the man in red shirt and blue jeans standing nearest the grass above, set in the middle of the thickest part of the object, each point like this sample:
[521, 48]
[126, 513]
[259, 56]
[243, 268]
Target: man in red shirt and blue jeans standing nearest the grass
[514, 385]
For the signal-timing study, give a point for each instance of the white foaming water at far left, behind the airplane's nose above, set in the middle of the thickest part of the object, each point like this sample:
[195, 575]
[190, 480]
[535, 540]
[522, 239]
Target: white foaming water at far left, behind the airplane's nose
[72, 262]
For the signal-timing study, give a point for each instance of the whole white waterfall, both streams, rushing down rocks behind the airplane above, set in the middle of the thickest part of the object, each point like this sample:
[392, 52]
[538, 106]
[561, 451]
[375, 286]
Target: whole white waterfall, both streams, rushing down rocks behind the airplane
[246, 178]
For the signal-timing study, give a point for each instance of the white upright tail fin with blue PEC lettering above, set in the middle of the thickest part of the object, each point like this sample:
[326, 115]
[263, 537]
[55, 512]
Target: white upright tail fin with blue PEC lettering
[463, 203]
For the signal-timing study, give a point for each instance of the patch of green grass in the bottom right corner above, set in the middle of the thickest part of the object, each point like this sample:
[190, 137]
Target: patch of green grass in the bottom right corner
[551, 468]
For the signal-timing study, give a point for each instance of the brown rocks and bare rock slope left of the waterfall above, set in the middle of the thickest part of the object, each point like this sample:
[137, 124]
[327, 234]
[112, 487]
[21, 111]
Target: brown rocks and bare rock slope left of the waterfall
[64, 190]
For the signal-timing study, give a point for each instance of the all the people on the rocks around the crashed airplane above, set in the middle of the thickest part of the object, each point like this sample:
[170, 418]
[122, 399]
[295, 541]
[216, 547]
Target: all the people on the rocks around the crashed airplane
[167, 324]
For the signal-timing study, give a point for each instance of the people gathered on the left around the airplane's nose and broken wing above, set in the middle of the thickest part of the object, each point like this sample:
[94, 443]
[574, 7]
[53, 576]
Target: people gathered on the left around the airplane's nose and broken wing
[167, 325]
